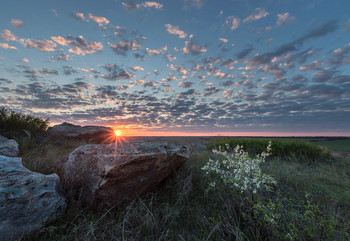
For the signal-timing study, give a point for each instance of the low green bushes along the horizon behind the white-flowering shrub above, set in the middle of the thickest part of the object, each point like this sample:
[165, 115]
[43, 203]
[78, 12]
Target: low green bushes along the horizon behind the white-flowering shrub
[283, 149]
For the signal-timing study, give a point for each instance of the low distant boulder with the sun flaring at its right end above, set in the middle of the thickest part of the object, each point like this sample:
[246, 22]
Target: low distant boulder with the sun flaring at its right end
[98, 134]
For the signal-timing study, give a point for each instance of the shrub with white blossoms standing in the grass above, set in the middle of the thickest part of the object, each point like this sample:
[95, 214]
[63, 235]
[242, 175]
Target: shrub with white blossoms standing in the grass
[239, 170]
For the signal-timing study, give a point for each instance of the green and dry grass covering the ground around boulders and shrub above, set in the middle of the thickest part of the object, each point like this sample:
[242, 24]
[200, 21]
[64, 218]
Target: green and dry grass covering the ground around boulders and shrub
[184, 208]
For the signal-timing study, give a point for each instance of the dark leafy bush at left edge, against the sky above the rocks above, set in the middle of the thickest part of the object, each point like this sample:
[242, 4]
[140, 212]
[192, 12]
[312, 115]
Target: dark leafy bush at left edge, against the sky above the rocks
[12, 121]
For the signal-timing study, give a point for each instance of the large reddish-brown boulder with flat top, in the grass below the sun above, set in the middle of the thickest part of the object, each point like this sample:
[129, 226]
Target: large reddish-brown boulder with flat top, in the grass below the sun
[105, 174]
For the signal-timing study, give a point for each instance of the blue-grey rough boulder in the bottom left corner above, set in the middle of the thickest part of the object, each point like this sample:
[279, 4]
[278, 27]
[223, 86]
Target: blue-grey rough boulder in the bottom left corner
[27, 199]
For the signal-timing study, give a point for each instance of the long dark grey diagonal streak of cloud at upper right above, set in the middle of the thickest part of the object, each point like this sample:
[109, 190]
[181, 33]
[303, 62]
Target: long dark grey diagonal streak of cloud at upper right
[317, 32]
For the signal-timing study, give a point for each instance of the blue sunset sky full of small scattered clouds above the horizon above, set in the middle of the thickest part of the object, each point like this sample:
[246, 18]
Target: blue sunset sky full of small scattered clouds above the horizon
[180, 67]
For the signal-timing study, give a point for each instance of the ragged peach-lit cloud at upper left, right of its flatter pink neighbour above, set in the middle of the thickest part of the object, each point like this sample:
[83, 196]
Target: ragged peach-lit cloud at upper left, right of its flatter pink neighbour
[79, 45]
